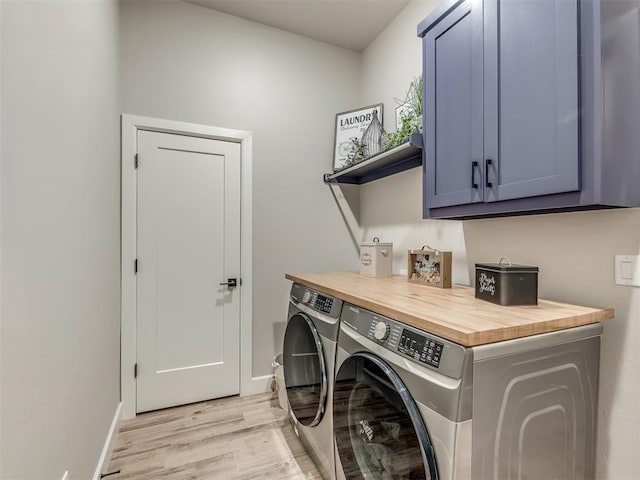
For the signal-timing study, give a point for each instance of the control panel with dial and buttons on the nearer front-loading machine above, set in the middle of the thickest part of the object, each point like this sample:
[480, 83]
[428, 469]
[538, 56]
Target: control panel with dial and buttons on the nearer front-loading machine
[420, 346]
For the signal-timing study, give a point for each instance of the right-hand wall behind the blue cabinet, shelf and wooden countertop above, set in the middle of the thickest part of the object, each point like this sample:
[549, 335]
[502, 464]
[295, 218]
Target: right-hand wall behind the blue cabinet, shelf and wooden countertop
[573, 250]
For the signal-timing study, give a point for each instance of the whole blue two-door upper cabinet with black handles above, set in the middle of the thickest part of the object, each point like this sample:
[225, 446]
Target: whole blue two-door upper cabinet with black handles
[514, 112]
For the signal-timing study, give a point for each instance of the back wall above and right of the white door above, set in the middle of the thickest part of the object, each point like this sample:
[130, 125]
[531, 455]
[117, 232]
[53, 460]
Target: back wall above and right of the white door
[184, 62]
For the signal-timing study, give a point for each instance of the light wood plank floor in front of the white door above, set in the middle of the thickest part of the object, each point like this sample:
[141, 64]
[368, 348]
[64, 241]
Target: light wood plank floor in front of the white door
[239, 438]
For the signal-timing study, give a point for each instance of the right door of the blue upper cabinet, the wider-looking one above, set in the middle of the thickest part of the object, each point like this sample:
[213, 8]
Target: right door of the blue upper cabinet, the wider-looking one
[531, 98]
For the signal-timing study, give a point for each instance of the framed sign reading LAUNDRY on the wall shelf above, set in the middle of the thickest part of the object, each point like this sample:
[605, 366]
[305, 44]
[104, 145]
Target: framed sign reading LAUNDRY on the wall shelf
[350, 125]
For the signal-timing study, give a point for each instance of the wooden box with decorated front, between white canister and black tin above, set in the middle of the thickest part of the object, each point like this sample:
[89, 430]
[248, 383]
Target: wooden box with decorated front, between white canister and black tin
[429, 267]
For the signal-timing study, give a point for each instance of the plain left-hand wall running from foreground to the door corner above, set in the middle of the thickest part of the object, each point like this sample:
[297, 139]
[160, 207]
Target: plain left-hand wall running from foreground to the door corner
[60, 236]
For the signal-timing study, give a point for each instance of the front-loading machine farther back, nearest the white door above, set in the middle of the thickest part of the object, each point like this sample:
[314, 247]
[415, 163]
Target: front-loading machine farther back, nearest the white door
[309, 352]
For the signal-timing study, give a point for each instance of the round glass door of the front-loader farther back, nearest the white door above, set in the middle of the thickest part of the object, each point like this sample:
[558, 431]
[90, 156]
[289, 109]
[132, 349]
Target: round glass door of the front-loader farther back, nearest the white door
[305, 370]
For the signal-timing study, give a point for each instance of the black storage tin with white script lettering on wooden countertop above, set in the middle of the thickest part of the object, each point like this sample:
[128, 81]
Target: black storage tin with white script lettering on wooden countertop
[507, 283]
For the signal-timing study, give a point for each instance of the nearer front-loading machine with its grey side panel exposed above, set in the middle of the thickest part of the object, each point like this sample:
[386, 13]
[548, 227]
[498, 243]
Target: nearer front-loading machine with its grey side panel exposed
[408, 404]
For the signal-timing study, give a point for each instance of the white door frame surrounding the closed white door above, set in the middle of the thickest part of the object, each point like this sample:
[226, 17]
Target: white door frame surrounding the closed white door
[130, 126]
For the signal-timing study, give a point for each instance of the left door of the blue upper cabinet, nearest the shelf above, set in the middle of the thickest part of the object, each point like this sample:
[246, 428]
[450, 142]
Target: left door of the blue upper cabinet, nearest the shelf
[452, 51]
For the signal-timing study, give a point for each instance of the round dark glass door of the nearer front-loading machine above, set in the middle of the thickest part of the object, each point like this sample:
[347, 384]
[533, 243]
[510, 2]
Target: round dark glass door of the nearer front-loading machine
[378, 429]
